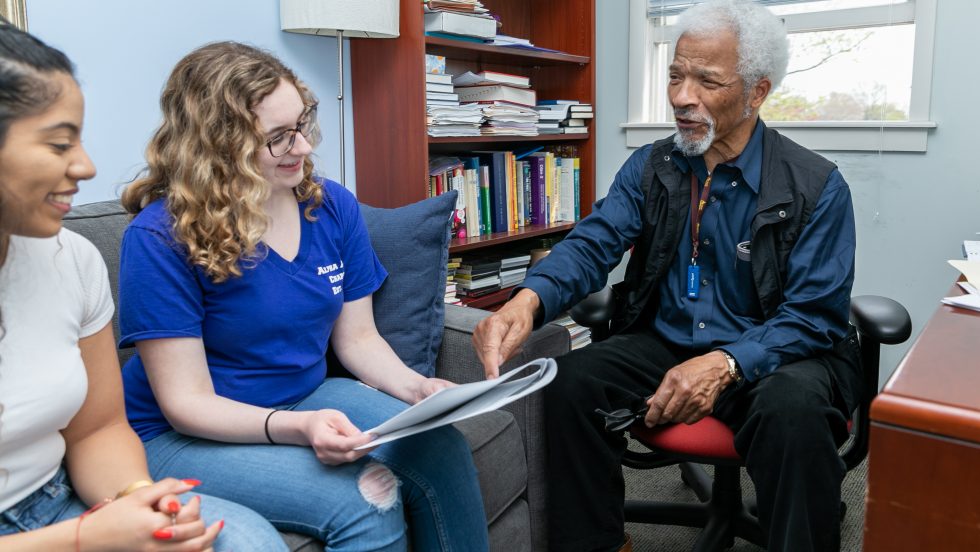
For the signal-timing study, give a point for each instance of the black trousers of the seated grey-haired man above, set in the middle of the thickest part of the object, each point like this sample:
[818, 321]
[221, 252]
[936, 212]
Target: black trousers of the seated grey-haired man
[788, 427]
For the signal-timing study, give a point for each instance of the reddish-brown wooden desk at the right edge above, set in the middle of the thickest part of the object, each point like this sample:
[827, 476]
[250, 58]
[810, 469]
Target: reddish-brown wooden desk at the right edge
[924, 460]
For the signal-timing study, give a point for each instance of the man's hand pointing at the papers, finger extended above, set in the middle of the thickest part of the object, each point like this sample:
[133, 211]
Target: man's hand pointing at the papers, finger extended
[500, 335]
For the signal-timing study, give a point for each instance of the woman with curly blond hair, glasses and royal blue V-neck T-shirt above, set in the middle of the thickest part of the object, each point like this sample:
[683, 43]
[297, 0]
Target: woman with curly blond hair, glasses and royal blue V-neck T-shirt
[238, 271]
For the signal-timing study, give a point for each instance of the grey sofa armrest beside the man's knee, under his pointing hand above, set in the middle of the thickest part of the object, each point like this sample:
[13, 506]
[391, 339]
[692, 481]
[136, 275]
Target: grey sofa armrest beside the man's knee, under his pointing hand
[457, 362]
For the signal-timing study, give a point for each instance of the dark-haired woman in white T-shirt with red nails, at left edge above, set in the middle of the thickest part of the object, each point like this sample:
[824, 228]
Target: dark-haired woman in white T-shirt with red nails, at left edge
[73, 474]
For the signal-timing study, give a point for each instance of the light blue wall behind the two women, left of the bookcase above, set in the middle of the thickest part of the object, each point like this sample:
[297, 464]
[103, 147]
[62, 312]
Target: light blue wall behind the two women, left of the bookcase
[124, 51]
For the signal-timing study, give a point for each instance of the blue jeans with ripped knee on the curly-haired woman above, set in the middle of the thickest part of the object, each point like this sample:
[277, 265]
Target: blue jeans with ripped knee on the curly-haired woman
[439, 493]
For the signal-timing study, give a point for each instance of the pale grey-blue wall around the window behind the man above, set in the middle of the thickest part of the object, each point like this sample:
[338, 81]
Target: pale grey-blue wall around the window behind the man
[913, 211]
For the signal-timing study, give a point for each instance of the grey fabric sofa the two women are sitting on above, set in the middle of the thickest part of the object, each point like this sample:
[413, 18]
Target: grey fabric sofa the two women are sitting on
[507, 445]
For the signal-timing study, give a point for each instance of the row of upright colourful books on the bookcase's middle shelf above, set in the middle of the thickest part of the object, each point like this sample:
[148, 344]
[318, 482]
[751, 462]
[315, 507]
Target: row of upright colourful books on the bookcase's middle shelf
[500, 191]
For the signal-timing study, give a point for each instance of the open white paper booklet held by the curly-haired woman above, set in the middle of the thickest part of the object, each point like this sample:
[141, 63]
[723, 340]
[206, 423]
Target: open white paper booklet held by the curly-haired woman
[453, 404]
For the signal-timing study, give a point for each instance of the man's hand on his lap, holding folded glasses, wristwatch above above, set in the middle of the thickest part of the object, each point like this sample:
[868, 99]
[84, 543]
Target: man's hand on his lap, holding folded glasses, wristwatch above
[689, 390]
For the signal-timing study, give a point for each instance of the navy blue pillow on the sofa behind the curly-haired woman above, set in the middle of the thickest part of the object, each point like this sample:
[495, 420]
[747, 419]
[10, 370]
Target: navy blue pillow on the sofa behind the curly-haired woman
[413, 245]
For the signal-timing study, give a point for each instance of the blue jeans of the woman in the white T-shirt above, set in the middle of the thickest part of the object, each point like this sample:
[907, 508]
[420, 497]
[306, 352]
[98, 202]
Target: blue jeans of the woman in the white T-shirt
[56, 501]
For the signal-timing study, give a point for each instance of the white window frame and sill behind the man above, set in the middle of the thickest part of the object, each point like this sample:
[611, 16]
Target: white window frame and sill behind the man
[644, 127]
